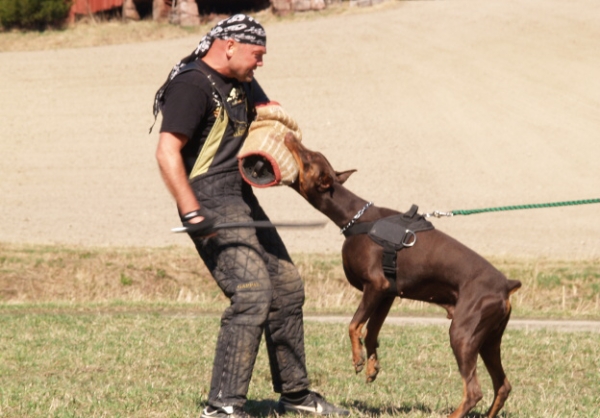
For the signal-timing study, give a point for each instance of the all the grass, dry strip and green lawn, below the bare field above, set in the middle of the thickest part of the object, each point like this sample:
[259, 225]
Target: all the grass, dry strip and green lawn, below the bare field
[103, 332]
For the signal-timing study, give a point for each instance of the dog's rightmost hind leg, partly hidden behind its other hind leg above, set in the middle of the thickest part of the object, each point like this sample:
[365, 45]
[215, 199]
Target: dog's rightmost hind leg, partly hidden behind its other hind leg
[490, 354]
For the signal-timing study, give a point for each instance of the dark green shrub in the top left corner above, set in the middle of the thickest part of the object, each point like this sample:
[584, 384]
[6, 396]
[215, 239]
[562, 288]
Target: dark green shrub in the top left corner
[33, 14]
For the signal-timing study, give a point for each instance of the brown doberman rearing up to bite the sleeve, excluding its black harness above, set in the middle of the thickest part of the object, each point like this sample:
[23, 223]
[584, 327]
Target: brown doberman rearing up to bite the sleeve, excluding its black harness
[433, 268]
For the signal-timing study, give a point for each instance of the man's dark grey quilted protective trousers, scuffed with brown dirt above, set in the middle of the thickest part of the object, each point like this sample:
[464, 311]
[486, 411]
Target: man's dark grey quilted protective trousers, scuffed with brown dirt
[254, 270]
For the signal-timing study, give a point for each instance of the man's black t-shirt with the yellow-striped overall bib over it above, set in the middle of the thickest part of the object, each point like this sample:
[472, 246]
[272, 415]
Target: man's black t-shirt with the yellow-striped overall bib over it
[192, 104]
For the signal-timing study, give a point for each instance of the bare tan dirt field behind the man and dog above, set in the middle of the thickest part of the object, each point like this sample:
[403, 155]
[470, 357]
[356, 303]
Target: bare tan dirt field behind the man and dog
[446, 104]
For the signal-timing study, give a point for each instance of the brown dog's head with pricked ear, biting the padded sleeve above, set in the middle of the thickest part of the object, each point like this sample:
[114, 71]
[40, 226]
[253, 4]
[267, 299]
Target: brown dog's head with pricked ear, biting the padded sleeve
[315, 174]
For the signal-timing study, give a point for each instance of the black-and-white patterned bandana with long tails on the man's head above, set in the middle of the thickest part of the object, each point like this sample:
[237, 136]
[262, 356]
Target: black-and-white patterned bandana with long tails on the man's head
[241, 28]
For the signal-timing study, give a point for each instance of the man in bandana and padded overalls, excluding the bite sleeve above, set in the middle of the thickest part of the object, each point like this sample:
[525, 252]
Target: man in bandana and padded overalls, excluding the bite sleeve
[207, 104]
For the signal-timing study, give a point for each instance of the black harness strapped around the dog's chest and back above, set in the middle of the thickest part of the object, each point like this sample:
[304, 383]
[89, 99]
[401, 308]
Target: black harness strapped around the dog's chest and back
[393, 234]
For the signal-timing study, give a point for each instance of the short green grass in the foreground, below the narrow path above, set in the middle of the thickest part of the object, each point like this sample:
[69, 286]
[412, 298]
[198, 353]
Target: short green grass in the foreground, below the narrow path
[133, 364]
